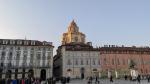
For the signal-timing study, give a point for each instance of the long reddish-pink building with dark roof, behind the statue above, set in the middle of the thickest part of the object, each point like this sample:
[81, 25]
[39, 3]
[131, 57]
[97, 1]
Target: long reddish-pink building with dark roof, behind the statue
[117, 60]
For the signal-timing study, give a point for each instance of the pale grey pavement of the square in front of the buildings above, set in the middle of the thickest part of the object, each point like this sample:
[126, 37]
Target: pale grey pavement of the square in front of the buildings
[105, 81]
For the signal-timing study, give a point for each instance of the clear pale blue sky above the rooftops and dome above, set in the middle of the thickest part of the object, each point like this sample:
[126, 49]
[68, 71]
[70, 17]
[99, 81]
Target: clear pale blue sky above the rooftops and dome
[105, 22]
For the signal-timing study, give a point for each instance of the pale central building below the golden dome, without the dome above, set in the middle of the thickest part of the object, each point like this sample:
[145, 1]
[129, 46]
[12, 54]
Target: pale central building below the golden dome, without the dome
[77, 61]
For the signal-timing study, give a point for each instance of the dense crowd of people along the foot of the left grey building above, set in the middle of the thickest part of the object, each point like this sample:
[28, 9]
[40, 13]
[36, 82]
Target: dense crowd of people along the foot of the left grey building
[28, 81]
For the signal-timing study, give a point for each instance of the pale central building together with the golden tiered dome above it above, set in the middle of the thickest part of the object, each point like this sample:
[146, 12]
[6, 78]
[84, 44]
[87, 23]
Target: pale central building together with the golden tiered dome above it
[75, 58]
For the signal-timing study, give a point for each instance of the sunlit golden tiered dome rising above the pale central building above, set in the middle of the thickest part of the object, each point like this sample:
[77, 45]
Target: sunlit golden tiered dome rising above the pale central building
[73, 35]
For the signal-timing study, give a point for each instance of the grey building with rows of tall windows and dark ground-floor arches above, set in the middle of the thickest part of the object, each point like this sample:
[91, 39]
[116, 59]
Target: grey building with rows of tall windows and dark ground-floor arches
[25, 58]
